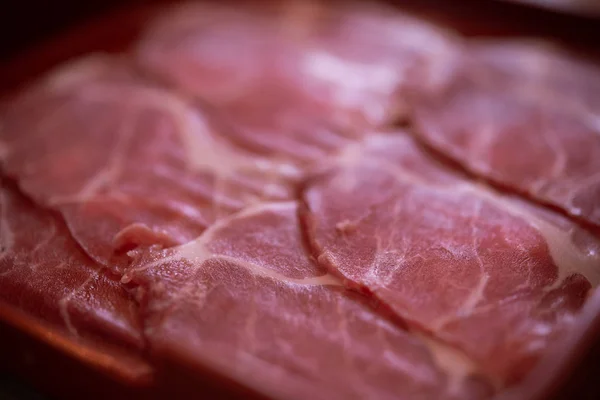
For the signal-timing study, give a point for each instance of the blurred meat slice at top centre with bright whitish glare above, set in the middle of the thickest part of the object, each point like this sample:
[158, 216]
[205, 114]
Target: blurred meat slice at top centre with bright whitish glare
[297, 77]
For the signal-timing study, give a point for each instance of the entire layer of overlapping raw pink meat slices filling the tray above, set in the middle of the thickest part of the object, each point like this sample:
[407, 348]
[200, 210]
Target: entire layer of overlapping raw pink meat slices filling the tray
[265, 191]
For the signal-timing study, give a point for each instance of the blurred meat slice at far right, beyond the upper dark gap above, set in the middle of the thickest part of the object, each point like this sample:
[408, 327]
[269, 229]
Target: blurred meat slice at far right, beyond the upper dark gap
[525, 116]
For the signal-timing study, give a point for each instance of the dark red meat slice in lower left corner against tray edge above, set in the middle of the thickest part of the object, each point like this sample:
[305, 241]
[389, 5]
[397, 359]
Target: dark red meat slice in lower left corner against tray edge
[50, 281]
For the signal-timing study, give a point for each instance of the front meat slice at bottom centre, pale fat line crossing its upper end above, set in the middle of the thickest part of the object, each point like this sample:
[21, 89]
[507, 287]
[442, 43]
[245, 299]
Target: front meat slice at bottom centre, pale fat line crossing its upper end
[246, 300]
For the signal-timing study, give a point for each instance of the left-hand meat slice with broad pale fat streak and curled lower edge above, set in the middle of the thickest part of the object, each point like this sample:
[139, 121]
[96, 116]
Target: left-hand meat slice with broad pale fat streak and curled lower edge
[126, 162]
